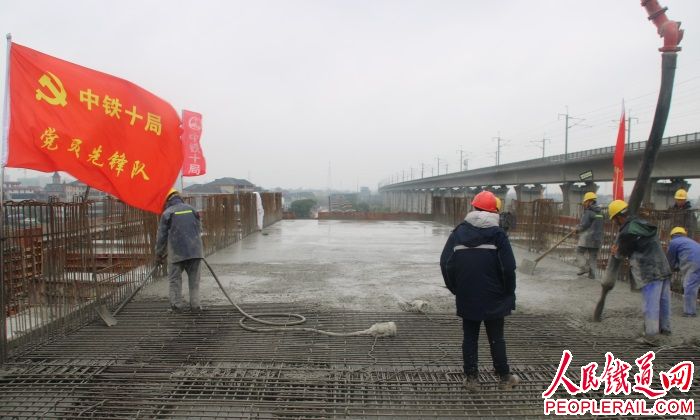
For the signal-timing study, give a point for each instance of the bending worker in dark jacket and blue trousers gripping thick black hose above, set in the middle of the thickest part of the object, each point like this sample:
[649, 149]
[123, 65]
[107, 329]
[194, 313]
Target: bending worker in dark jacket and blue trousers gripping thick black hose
[651, 273]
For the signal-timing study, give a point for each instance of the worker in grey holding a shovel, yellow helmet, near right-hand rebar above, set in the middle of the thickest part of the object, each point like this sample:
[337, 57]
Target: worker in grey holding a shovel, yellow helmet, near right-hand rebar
[590, 236]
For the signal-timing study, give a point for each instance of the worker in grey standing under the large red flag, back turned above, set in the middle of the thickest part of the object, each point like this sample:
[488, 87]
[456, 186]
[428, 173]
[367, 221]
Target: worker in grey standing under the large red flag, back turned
[180, 240]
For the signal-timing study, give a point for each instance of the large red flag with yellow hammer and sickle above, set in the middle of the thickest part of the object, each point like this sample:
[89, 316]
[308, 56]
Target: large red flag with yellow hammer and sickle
[103, 130]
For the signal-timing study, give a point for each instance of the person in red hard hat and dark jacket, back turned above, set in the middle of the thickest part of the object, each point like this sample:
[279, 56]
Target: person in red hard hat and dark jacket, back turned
[478, 267]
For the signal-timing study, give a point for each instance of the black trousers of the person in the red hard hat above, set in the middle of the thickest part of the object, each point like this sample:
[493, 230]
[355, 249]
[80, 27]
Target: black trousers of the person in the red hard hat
[497, 343]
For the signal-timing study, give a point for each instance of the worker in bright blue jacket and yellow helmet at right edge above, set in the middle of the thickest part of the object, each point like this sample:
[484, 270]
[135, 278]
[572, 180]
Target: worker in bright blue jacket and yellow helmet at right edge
[684, 255]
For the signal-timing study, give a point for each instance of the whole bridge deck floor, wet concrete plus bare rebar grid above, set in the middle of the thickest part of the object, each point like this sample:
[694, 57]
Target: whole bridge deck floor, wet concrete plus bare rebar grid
[343, 276]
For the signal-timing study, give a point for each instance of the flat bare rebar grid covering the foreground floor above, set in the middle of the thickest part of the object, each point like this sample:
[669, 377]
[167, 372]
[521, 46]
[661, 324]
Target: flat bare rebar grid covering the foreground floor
[155, 364]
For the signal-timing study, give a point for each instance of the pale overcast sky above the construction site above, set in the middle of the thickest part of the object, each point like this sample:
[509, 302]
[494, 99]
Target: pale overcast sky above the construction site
[348, 93]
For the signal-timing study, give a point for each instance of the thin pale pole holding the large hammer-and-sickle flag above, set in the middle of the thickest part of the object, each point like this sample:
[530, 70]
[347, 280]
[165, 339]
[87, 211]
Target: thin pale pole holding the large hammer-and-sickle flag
[3, 158]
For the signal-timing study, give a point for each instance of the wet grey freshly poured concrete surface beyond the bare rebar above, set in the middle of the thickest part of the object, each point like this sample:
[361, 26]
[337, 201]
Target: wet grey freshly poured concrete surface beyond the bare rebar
[377, 266]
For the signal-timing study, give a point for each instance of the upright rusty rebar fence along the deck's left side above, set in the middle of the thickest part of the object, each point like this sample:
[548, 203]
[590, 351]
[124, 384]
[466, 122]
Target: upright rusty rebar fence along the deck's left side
[60, 260]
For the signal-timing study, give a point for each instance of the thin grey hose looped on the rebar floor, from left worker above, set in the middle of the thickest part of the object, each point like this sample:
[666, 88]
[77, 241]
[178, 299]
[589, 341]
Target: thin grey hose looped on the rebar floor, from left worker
[381, 329]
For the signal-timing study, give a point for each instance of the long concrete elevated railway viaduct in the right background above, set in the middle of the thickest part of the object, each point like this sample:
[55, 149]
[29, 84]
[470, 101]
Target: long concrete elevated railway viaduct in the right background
[576, 173]
